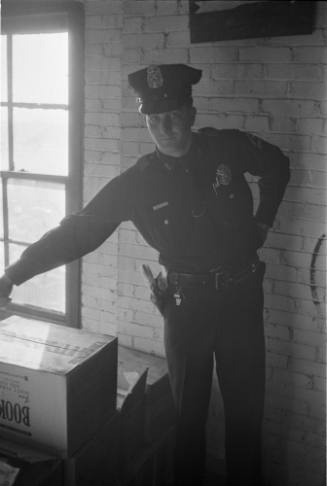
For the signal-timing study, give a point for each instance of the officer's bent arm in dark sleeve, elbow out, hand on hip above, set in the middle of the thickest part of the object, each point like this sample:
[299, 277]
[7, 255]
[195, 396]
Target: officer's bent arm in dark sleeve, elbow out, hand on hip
[267, 161]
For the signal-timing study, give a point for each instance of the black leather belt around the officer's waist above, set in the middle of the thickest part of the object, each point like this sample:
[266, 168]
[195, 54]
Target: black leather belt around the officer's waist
[218, 279]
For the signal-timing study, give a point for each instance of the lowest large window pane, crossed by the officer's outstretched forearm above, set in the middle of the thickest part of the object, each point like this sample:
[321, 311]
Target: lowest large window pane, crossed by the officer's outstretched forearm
[46, 290]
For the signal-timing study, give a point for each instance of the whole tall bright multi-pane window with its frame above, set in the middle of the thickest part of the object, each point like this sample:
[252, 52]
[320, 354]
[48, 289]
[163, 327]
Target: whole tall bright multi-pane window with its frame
[41, 137]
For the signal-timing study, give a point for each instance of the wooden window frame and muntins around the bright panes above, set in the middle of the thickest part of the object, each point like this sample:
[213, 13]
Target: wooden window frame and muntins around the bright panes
[20, 17]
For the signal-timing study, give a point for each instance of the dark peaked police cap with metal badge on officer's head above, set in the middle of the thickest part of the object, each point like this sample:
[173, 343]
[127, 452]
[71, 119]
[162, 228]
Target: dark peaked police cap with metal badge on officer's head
[163, 87]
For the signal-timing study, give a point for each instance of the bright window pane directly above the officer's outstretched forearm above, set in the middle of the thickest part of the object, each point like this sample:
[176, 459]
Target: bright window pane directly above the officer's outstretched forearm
[34, 207]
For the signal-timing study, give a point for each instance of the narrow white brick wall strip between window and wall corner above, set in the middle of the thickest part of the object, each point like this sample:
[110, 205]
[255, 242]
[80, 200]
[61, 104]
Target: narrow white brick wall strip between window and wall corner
[102, 155]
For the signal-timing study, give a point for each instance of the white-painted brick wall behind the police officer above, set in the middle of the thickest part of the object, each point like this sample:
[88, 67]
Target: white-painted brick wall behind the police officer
[275, 88]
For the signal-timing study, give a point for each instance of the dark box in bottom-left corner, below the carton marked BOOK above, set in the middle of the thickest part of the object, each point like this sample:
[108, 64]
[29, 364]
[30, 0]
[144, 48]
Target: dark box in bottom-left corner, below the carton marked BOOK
[24, 466]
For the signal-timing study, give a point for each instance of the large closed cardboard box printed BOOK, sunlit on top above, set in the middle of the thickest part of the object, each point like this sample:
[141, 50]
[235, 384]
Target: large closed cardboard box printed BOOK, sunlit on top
[57, 384]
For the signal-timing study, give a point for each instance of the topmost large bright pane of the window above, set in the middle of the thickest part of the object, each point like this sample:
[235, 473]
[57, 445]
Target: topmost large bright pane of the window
[40, 68]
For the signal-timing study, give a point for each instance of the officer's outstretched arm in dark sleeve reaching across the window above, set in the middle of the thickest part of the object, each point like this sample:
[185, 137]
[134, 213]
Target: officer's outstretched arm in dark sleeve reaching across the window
[77, 235]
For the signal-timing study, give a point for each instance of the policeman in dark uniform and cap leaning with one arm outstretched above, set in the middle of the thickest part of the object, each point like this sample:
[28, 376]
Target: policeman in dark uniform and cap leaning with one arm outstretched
[191, 202]
